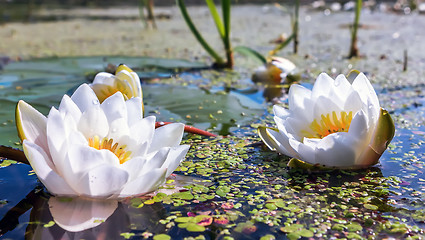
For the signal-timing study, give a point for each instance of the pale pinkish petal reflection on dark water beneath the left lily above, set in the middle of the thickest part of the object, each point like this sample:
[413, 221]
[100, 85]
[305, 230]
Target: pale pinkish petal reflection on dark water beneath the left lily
[80, 214]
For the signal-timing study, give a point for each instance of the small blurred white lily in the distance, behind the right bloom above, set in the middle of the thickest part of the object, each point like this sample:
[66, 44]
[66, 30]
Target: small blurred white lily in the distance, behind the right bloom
[274, 71]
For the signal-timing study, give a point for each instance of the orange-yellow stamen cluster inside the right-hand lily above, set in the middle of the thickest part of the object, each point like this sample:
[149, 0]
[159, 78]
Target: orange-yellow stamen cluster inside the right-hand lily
[328, 124]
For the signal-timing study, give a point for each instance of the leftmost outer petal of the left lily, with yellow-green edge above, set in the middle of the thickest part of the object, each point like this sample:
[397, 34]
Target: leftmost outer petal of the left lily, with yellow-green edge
[31, 125]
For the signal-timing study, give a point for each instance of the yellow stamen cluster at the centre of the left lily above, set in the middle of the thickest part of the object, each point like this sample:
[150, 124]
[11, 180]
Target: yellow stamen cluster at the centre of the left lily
[108, 144]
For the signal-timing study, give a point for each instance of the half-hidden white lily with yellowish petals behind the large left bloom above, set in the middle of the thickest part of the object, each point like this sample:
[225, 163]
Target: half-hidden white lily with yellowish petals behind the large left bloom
[125, 81]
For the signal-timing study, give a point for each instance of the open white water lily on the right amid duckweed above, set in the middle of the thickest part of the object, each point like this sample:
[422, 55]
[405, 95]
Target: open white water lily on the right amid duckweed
[337, 124]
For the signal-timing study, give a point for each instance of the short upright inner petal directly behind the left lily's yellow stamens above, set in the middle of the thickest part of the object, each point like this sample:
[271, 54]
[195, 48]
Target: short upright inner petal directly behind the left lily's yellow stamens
[93, 122]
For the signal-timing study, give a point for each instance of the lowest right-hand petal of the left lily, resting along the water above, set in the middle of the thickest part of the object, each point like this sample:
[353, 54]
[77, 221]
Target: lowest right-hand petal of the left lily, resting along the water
[145, 183]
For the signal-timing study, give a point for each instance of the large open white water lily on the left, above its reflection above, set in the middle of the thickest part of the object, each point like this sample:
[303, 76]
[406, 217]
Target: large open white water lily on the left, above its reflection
[95, 150]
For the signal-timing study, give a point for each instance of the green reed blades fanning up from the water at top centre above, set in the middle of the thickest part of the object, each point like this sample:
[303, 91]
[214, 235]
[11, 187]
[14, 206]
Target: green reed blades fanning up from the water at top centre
[223, 27]
